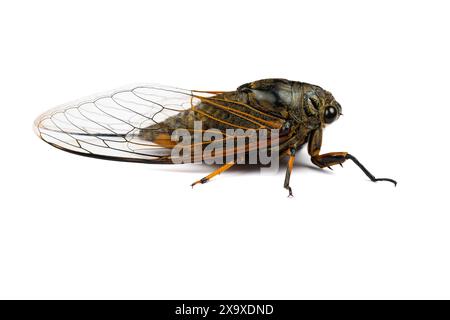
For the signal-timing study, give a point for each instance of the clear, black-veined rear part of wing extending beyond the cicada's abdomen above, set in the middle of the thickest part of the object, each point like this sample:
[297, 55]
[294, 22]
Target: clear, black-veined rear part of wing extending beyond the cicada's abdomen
[111, 125]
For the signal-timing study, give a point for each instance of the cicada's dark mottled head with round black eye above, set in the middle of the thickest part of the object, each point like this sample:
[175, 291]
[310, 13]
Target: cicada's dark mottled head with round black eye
[320, 104]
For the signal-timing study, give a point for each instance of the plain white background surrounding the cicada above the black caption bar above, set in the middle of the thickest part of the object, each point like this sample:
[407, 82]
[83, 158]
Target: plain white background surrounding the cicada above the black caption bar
[74, 227]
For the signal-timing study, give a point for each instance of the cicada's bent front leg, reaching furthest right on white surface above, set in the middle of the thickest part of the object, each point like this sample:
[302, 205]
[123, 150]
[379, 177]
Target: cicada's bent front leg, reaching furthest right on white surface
[333, 158]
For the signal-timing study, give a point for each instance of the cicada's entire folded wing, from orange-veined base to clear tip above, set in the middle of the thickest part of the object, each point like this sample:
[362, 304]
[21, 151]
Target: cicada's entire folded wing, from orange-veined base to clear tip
[135, 123]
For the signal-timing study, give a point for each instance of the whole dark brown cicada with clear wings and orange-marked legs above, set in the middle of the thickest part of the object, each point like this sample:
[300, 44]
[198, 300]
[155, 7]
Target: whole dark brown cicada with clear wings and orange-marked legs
[138, 124]
